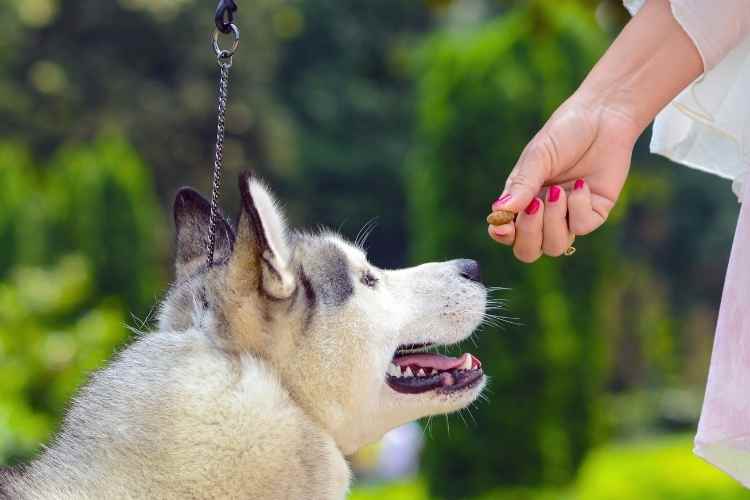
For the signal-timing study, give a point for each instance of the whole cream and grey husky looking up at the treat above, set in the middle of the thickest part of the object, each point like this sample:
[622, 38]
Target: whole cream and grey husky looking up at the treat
[268, 368]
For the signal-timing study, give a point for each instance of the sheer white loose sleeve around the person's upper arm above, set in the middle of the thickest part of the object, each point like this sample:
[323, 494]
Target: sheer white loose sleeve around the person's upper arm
[707, 126]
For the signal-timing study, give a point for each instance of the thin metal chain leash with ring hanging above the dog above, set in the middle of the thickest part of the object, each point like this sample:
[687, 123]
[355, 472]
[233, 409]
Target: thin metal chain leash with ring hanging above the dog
[224, 59]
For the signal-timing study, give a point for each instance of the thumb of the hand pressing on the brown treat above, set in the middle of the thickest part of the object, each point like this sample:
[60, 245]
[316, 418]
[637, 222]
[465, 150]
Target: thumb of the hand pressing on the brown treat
[533, 169]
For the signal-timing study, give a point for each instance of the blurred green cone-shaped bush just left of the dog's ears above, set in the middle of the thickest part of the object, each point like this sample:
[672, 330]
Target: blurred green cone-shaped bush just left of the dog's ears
[108, 211]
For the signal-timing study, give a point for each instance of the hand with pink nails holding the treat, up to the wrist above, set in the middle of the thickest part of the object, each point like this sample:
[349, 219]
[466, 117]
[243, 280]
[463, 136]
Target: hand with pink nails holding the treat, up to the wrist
[567, 179]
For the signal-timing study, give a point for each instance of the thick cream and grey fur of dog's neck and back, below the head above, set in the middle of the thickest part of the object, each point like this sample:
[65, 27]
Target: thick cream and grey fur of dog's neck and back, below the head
[172, 418]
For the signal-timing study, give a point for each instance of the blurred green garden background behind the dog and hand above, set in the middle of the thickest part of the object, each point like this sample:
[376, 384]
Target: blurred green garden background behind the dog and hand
[408, 111]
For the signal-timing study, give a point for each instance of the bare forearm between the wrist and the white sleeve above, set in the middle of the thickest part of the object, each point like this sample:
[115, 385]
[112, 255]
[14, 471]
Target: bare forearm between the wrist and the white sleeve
[650, 62]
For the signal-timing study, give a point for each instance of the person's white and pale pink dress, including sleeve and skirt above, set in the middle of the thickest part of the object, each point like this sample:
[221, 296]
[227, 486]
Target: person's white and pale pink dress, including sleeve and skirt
[708, 127]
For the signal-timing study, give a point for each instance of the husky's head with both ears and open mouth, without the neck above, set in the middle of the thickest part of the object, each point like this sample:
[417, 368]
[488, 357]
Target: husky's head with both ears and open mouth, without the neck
[349, 341]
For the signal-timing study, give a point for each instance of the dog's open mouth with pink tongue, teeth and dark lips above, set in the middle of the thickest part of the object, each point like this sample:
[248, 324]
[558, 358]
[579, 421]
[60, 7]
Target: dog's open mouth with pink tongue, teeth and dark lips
[413, 372]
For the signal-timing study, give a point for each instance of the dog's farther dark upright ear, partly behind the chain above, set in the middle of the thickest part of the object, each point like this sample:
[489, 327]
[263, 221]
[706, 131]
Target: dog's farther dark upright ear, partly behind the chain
[192, 213]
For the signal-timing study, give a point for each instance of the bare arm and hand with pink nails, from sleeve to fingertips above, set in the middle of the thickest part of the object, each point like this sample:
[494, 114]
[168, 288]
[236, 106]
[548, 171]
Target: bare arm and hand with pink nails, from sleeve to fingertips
[582, 154]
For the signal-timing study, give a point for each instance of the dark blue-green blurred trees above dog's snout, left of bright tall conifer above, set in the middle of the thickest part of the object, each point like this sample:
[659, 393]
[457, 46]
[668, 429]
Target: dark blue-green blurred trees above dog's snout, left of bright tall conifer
[343, 79]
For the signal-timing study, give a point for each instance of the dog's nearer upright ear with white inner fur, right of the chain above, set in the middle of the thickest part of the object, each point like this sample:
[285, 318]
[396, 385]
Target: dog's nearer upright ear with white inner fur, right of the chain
[261, 257]
